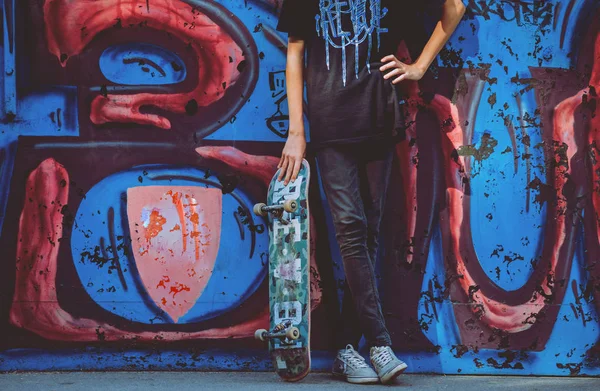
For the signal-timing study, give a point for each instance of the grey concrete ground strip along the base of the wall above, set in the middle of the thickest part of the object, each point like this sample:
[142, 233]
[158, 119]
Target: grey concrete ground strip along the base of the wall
[222, 381]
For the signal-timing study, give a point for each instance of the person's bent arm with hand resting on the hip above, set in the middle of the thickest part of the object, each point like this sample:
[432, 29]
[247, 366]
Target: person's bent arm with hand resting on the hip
[452, 14]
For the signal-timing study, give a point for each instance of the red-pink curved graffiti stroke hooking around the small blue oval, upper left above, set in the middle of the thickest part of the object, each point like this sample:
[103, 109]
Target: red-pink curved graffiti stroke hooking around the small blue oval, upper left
[71, 26]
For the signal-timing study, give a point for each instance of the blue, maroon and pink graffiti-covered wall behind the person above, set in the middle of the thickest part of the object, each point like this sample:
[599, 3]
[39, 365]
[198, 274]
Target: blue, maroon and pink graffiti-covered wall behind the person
[136, 136]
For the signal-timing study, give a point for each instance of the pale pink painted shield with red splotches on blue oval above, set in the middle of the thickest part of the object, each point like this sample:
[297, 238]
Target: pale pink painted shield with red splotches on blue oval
[175, 234]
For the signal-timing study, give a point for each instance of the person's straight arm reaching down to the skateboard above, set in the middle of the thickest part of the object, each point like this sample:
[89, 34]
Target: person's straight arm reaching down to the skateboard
[295, 146]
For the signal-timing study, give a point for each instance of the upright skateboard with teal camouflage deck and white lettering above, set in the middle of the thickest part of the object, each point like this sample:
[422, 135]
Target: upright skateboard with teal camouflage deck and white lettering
[288, 218]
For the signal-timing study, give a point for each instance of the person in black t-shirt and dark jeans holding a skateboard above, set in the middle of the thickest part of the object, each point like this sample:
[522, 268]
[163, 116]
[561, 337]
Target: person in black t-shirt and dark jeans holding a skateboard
[344, 51]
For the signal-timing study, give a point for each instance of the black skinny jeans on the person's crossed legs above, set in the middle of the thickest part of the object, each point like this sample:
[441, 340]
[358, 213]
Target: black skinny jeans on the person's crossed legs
[355, 178]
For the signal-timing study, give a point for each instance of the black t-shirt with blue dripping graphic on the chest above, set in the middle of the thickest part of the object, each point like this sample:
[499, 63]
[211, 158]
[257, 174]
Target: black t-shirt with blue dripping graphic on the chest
[348, 99]
